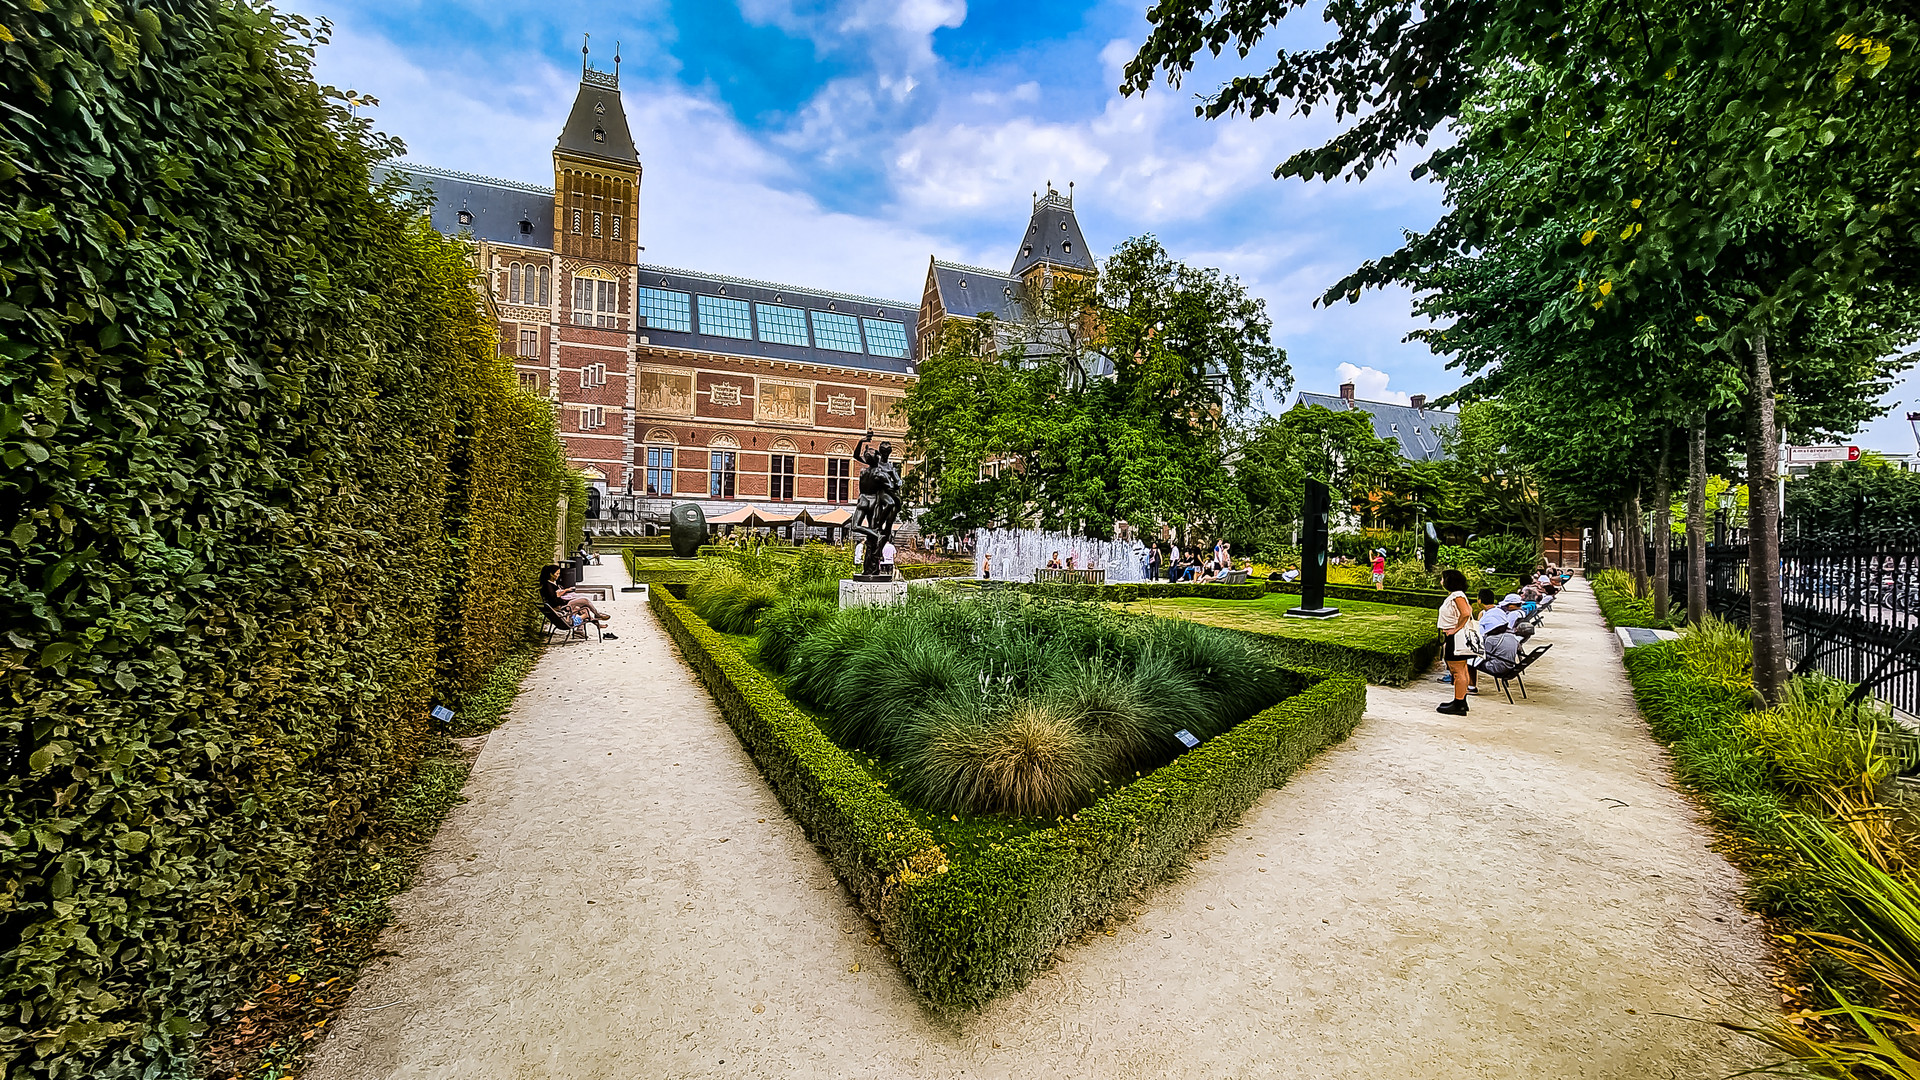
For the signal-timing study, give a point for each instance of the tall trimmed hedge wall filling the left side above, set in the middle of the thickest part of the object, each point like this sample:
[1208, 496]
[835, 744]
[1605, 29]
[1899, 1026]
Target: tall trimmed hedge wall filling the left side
[254, 497]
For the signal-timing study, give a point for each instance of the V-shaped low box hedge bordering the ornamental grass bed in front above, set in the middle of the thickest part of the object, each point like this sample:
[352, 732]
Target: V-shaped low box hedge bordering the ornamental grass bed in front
[972, 931]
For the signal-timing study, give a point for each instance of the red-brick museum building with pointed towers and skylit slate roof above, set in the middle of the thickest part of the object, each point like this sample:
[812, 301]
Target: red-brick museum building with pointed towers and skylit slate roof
[677, 385]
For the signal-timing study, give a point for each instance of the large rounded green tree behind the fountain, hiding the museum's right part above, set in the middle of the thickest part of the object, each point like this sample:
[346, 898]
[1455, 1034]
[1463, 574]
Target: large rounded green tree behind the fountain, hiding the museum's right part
[1186, 345]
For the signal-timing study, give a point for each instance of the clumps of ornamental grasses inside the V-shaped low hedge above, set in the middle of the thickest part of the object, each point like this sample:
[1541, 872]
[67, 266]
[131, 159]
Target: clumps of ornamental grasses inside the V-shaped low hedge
[1015, 706]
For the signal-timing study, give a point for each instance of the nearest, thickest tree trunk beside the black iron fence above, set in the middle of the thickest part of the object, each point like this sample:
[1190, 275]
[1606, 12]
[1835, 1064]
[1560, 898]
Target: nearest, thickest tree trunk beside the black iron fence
[1764, 531]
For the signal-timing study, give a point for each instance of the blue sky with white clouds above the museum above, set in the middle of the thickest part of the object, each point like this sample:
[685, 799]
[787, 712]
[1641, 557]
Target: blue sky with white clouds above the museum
[842, 143]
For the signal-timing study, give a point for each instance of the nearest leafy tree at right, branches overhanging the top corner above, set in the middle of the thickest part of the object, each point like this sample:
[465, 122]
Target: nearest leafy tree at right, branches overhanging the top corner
[1764, 147]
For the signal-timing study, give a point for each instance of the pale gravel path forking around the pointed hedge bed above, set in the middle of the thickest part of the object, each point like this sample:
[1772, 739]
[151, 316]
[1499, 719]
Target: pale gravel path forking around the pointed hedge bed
[1518, 893]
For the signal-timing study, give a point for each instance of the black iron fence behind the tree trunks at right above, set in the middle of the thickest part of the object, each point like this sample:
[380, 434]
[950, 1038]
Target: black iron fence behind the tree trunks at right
[1850, 610]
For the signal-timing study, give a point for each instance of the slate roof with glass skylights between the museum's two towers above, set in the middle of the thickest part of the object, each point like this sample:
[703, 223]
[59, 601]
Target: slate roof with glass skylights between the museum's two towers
[698, 283]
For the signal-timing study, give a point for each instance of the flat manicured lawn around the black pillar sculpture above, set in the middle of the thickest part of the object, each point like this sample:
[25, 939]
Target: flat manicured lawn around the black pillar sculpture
[1383, 643]
